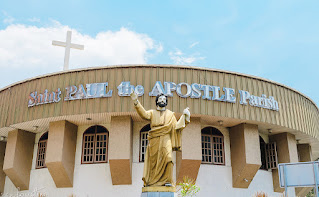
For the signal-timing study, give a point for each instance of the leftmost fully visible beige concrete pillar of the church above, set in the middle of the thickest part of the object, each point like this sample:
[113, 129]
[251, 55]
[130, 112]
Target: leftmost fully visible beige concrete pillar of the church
[18, 157]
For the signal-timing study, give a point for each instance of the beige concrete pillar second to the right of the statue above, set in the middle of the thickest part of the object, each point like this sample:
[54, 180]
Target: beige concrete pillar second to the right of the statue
[245, 154]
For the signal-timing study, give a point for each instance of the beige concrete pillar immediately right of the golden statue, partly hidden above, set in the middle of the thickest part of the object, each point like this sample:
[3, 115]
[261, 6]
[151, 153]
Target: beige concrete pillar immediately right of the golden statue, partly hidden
[189, 159]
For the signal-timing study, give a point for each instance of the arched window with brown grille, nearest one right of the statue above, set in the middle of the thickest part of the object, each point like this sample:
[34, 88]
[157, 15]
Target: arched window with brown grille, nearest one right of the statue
[212, 146]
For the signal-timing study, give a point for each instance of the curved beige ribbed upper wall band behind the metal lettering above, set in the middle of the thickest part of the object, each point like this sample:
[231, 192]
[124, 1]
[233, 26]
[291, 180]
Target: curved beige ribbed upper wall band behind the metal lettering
[292, 113]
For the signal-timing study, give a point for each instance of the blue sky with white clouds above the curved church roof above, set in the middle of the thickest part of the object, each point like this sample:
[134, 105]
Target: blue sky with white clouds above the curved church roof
[277, 40]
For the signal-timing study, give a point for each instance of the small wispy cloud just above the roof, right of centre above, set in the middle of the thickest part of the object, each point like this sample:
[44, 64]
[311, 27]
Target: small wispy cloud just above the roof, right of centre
[179, 57]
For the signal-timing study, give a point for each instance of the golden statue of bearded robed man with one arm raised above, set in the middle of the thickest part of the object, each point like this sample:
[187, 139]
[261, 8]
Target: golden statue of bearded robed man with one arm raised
[163, 138]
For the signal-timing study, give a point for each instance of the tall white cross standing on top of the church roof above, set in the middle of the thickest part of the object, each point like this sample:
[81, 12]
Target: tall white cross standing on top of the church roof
[68, 45]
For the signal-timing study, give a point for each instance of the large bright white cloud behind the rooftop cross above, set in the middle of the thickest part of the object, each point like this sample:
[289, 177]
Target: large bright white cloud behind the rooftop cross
[30, 47]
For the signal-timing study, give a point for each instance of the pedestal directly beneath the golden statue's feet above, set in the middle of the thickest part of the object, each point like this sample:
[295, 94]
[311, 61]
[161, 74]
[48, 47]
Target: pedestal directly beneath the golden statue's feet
[159, 191]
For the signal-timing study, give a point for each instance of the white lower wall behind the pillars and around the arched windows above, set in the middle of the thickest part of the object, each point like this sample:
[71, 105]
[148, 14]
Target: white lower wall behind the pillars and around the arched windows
[94, 180]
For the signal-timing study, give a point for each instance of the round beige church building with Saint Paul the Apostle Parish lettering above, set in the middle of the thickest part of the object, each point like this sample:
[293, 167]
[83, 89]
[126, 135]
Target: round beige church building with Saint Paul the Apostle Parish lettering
[76, 132]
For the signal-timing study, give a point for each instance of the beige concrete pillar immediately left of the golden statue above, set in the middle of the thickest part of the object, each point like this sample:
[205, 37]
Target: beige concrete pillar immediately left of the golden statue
[120, 150]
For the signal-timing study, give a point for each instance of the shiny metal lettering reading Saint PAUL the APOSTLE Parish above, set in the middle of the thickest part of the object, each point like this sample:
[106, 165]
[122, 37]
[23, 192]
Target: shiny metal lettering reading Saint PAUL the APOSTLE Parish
[184, 90]
